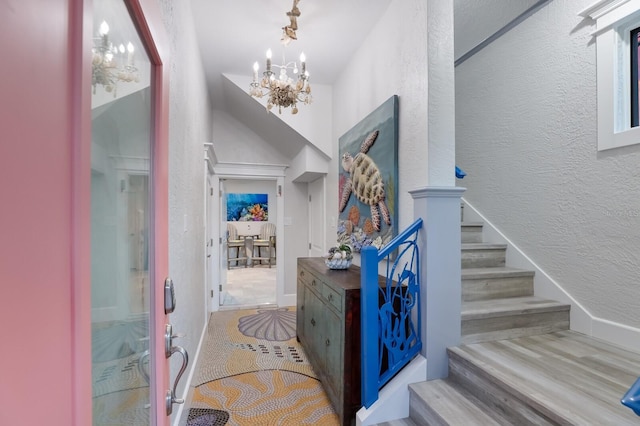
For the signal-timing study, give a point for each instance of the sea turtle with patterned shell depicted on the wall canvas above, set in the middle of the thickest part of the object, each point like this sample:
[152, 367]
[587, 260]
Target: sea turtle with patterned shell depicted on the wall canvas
[365, 182]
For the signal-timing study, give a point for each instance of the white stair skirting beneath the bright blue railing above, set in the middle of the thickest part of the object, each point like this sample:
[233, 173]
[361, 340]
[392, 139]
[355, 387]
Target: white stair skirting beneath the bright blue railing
[393, 400]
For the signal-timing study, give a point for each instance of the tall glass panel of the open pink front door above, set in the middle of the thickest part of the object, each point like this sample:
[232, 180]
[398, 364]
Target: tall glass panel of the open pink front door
[120, 218]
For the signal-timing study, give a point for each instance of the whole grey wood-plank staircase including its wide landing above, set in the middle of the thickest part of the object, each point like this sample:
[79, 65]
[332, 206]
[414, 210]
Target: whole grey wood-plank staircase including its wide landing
[519, 364]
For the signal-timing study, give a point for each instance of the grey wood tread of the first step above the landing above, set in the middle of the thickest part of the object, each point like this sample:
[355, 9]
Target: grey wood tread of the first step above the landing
[509, 306]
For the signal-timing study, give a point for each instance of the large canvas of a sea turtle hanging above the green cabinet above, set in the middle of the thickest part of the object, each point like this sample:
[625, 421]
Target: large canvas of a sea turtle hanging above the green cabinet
[368, 179]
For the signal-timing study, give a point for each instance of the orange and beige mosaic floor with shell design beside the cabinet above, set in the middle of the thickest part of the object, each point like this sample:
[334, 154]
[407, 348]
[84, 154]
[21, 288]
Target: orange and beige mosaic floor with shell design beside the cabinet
[252, 367]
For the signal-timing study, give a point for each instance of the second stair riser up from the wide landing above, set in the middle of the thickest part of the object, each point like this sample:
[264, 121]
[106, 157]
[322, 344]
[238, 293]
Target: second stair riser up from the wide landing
[495, 288]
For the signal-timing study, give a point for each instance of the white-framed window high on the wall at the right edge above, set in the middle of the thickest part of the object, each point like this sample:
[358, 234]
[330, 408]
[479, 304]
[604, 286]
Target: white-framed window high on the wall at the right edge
[617, 43]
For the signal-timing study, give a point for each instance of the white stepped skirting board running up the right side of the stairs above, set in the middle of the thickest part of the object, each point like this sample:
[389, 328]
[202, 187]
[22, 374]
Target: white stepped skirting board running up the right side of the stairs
[581, 320]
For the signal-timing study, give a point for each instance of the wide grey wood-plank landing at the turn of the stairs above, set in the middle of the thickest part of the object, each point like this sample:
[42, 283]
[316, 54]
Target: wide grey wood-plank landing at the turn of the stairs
[566, 376]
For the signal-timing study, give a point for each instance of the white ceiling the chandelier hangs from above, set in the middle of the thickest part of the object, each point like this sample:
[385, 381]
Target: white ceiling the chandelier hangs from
[233, 34]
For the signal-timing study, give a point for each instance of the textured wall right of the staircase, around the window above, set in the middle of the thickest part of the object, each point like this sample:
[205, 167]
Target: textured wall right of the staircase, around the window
[526, 136]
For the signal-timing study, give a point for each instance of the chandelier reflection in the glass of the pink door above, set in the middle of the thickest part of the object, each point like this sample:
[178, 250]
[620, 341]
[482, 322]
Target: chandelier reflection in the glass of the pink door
[111, 64]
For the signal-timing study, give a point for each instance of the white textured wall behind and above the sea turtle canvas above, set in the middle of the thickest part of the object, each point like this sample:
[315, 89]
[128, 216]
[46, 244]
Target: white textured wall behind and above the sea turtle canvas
[392, 60]
